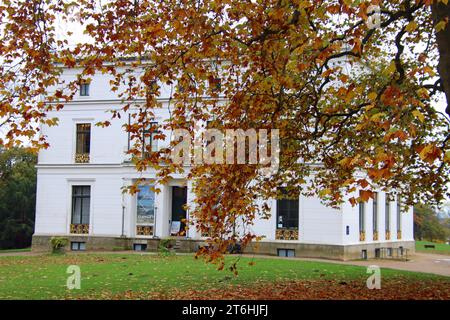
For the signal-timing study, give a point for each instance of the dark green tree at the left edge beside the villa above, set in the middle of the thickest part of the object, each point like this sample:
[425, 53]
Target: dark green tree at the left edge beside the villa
[17, 197]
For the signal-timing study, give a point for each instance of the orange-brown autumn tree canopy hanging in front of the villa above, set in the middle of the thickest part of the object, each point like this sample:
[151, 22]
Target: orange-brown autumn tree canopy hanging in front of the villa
[349, 84]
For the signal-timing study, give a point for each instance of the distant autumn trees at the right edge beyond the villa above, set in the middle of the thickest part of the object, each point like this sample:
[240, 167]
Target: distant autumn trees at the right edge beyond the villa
[427, 225]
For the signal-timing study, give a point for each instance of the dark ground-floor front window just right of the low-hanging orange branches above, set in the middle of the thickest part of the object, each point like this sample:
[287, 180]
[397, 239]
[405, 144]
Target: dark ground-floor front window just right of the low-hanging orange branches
[287, 217]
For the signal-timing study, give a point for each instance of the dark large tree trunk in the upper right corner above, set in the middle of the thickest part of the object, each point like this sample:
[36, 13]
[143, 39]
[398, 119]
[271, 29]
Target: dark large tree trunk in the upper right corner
[440, 12]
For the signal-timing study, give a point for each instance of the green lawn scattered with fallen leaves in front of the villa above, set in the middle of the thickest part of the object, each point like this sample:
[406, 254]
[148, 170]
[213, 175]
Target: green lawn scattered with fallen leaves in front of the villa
[103, 275]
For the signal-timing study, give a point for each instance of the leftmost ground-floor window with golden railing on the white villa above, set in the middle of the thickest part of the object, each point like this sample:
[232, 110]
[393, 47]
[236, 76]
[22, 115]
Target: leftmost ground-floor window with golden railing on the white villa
[81, 203]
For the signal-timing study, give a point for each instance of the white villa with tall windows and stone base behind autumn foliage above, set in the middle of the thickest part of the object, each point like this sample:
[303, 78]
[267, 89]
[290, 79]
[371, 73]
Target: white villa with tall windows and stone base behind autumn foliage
[79, 196]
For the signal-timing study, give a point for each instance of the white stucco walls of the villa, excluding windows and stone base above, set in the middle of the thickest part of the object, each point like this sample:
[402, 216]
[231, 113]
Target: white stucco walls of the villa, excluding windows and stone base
[107, 173]
